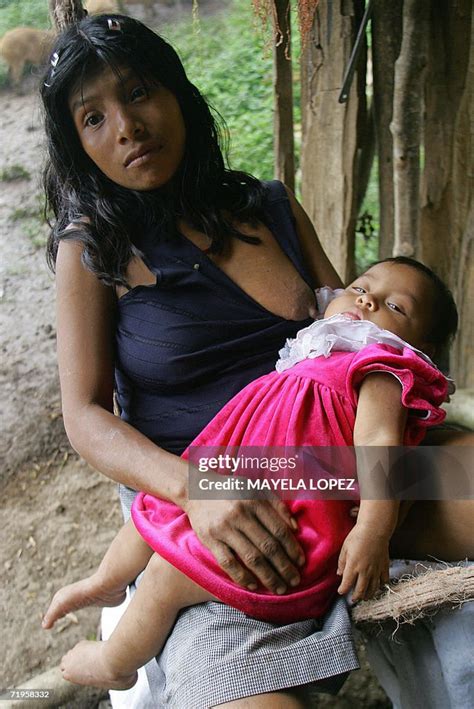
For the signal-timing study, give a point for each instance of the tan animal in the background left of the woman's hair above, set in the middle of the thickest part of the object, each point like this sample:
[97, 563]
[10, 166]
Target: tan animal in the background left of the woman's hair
[24, 44]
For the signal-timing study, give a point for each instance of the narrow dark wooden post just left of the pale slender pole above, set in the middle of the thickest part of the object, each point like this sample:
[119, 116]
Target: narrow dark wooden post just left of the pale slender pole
[386, 41]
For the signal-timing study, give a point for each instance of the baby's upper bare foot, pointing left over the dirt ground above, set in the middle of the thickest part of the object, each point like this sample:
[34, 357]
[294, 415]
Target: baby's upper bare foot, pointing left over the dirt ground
[88, 592]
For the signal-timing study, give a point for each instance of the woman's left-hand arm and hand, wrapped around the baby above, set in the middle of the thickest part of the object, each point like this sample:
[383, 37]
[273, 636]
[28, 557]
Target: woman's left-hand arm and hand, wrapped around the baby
[258, 532]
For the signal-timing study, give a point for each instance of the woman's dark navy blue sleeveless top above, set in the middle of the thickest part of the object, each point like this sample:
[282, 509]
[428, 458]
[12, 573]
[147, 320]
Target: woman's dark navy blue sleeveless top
[186, 345]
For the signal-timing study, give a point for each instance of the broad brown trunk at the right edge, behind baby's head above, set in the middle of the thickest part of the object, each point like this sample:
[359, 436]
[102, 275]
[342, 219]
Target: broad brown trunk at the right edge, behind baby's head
[447, 199]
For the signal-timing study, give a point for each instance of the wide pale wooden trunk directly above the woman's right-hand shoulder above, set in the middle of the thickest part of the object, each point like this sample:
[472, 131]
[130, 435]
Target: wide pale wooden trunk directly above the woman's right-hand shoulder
[330, 130]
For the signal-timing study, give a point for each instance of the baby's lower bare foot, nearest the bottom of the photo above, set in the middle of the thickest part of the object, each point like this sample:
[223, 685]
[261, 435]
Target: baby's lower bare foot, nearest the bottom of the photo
[87, 664]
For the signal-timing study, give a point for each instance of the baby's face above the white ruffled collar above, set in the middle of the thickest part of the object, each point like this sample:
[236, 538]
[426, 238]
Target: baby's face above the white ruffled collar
[394, 297]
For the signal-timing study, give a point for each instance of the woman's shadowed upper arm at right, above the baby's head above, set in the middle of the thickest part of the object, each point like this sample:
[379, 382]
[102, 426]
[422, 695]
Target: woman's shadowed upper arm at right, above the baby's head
[314, 257]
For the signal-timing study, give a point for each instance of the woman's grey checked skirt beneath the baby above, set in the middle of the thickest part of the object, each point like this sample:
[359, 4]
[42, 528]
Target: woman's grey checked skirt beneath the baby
[216, 654]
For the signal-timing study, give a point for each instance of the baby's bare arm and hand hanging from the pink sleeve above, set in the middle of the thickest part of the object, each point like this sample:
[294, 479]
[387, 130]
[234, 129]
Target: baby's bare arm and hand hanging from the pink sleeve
[380, 422]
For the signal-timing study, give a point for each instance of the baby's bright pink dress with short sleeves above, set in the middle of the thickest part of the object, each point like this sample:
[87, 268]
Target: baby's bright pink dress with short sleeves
[313, 403]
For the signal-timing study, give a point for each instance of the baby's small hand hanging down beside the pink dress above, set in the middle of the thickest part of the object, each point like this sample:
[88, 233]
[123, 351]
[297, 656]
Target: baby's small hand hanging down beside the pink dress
[363, 563]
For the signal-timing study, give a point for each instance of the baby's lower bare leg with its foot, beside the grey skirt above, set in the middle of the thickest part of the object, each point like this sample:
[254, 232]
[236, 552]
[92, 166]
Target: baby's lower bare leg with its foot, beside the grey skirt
[141, 632]
